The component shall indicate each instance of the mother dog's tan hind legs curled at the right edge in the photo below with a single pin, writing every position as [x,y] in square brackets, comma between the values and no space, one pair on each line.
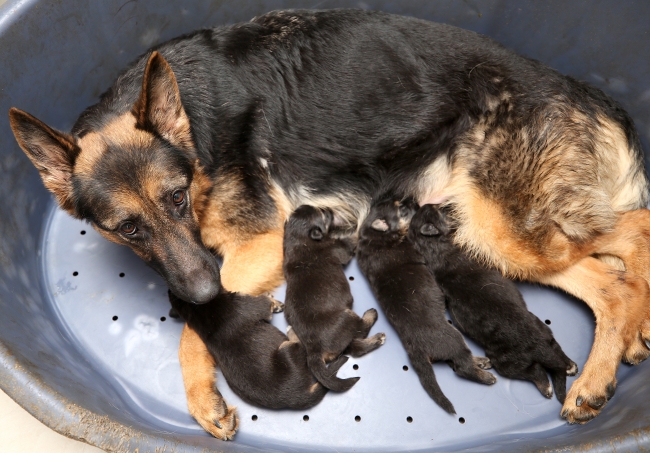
[618,300]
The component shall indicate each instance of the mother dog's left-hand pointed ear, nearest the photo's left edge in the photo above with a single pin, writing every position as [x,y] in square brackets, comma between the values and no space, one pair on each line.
[52,152]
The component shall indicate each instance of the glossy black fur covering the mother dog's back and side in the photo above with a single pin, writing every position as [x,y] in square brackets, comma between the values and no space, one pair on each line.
[340,100]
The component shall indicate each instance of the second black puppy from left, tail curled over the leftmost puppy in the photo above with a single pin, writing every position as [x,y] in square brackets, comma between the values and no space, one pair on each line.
[318,303]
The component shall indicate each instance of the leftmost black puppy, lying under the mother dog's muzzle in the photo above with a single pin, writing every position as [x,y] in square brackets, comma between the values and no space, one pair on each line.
[260,363]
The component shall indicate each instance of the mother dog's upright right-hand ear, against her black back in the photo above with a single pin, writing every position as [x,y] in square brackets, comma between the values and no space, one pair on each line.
[159,107]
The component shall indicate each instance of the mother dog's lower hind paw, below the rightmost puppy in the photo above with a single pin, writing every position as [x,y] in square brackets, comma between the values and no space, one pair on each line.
[584,402]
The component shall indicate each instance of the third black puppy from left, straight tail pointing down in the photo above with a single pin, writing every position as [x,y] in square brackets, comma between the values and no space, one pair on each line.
[411,300]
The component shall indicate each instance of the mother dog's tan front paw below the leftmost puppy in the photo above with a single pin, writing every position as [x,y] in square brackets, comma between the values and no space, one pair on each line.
[214,415]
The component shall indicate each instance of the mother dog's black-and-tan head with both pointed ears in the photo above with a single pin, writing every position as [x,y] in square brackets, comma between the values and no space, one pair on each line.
[134,177]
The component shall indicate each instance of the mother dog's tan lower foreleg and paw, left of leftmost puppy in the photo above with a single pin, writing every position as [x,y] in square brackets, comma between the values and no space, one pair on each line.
[203,399]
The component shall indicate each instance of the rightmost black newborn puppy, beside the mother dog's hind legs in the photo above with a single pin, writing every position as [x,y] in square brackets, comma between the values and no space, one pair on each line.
[490,309]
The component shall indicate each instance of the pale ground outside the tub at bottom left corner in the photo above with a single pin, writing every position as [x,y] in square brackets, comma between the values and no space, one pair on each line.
[22,433]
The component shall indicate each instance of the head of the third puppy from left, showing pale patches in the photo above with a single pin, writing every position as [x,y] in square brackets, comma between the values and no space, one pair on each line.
[389,217]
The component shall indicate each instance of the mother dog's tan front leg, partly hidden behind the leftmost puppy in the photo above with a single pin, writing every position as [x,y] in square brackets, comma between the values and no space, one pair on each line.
[253,267]
